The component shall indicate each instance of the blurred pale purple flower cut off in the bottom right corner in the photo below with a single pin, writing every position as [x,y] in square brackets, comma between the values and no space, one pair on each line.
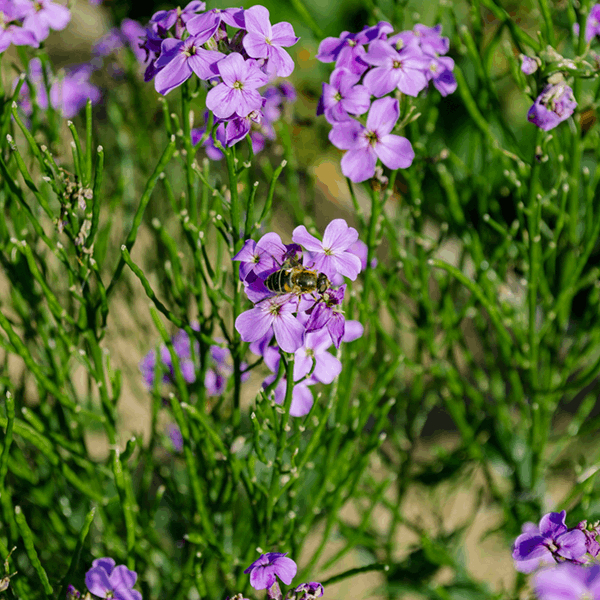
[568,582]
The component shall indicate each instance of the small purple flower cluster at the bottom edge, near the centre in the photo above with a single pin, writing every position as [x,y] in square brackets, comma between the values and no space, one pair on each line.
[265,570]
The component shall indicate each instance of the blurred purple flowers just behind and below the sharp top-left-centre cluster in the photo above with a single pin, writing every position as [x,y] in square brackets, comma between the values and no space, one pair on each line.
[275,97]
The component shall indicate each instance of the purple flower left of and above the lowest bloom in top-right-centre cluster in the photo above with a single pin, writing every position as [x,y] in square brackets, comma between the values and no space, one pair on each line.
[342,96]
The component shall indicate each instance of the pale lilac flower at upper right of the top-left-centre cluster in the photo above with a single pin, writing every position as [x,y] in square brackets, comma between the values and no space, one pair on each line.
[264,41]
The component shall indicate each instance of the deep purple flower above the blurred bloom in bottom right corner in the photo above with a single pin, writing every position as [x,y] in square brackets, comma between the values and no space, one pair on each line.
[552,540]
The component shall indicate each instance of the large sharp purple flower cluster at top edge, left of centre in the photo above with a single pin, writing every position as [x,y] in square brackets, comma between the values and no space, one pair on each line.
[238,51]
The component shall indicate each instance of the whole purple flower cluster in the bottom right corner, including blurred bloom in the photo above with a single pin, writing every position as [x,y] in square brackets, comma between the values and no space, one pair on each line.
[562,557]
